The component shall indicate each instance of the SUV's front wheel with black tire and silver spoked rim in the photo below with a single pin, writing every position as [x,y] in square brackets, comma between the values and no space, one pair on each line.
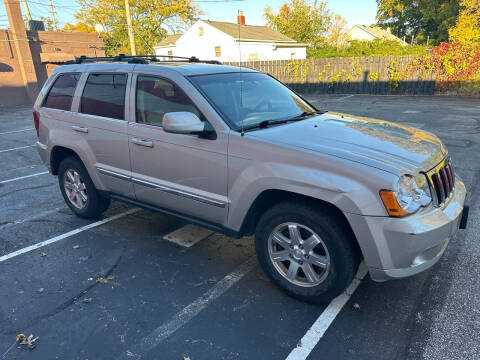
[336,252]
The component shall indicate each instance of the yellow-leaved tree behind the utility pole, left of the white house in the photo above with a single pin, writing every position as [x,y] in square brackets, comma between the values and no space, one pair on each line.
[149,20]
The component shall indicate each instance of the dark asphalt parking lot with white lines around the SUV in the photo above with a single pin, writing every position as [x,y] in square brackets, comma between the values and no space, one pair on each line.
[117,289]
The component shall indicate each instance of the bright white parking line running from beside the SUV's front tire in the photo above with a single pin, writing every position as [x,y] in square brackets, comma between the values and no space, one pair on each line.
[320,326]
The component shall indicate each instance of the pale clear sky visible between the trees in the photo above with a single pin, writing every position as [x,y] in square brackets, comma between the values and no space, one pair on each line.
[355,11]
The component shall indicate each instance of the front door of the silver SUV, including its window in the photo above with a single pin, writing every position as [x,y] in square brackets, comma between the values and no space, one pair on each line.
[183,173]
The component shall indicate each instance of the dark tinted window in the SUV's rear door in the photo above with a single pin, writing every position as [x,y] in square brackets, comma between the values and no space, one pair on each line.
[104,95]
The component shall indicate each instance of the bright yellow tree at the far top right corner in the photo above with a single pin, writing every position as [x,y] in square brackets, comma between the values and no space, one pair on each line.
[467,28]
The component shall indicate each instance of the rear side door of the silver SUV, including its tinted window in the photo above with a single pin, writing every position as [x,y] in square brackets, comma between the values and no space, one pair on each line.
[100,120]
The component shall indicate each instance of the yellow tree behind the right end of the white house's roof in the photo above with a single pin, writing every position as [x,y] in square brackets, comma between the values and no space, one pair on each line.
[301,20]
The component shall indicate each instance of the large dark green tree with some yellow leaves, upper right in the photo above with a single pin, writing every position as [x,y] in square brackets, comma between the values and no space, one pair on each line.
[421,19]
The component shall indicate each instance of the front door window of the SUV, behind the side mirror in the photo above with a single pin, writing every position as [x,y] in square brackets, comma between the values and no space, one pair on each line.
[156,97]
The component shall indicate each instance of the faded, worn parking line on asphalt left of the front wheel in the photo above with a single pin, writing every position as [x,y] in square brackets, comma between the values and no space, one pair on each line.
[192,310]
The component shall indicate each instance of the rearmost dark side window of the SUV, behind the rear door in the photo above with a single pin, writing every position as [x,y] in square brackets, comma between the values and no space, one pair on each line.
[61,93]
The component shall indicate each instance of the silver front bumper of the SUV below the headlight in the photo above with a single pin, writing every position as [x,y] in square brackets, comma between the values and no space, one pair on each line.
[400,247]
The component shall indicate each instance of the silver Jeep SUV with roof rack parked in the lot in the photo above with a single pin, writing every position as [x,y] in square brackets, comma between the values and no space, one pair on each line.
[234,150]
